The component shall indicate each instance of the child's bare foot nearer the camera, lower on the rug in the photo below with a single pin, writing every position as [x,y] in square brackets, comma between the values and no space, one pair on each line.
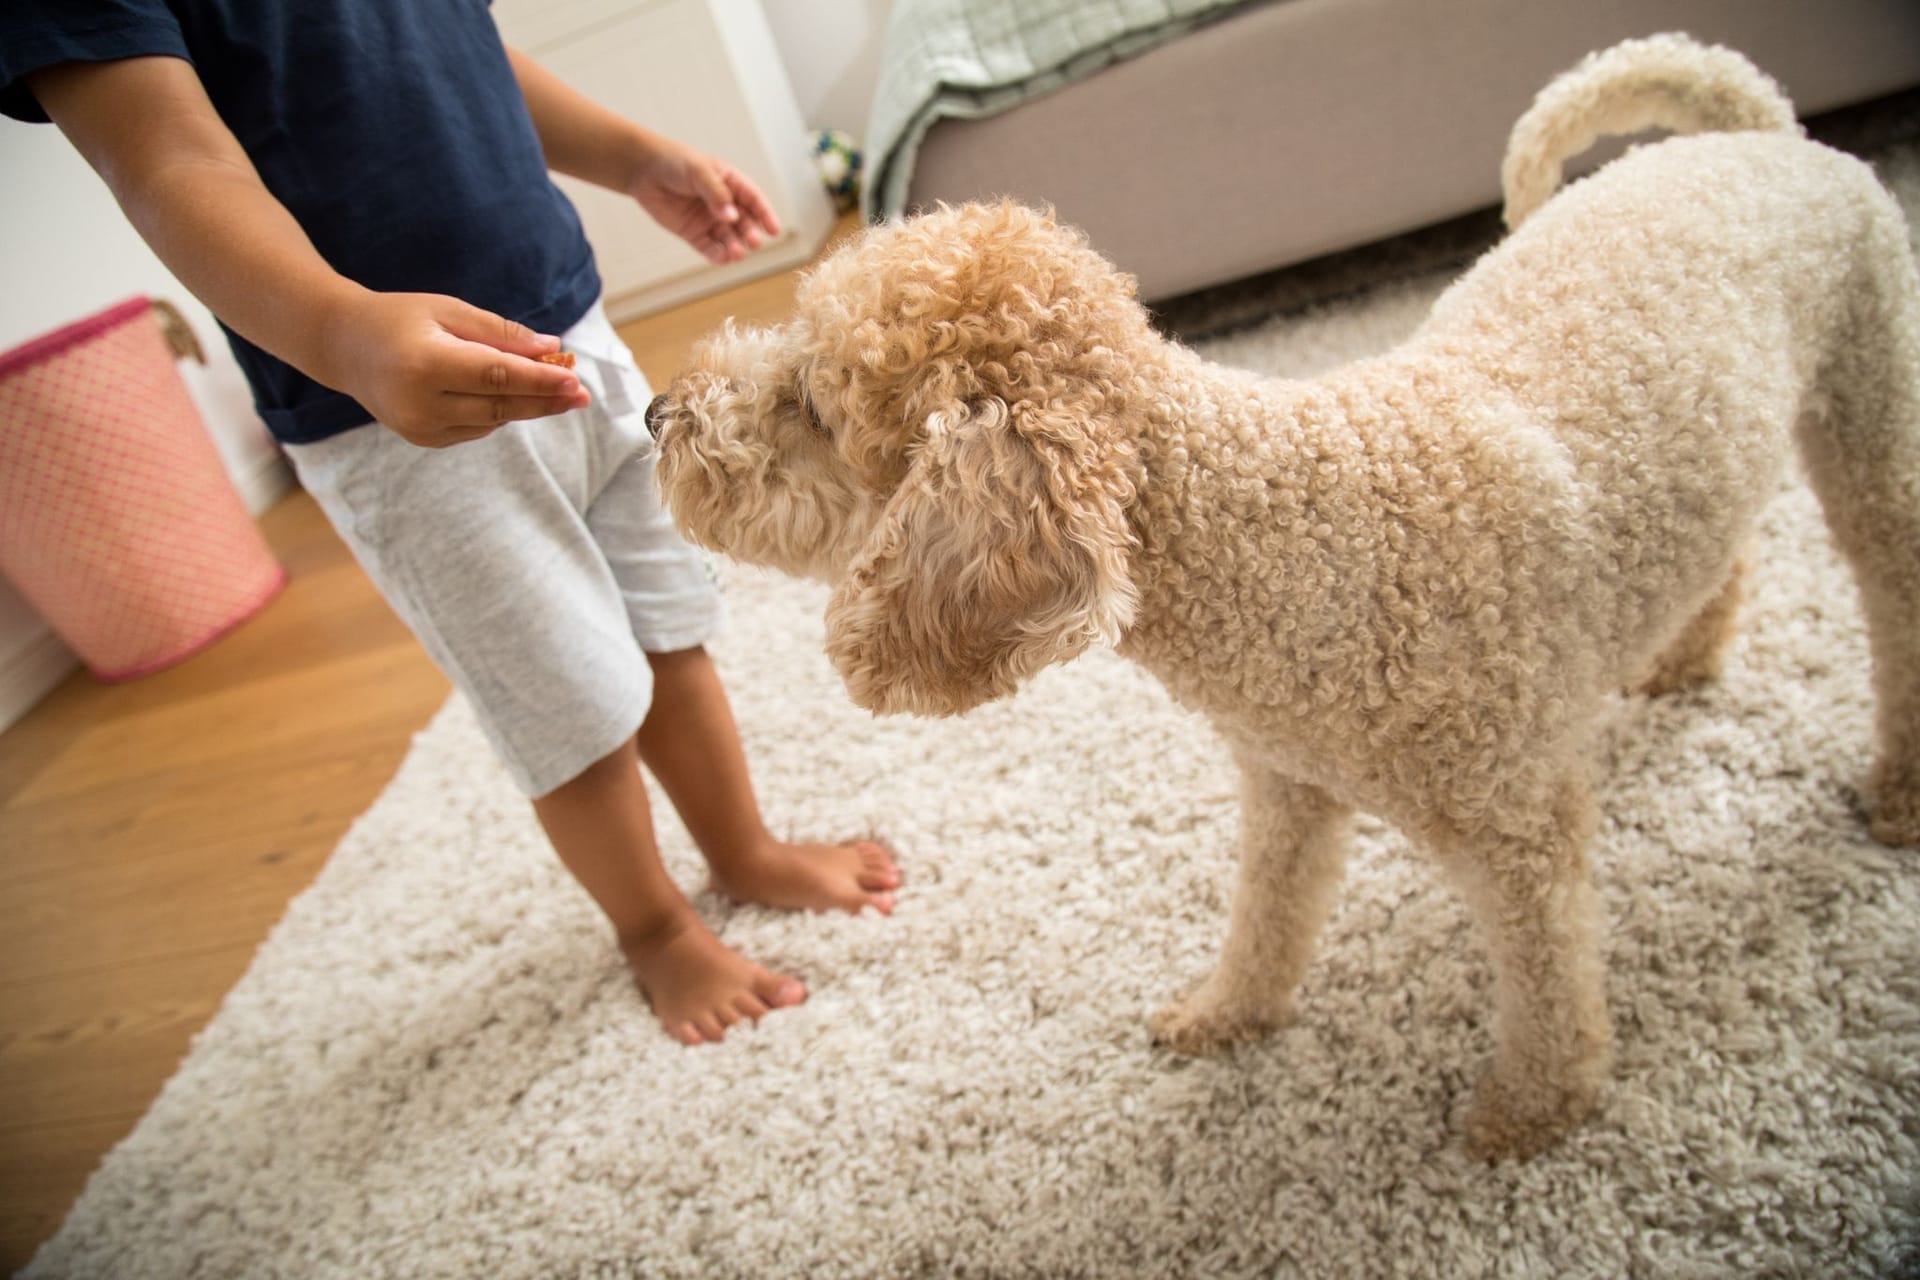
[700,987]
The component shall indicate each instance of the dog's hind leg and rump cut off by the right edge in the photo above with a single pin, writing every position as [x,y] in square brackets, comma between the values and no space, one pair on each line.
[1863,456]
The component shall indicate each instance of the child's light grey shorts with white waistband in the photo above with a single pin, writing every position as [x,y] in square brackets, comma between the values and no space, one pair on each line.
[537,565]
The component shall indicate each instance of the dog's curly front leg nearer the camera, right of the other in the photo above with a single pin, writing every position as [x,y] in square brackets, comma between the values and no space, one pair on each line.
[1525,880]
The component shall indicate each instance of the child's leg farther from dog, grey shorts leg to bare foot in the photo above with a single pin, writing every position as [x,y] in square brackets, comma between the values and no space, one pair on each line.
[487,559]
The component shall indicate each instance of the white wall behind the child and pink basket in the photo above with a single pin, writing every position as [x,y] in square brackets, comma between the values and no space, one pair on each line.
[68,252]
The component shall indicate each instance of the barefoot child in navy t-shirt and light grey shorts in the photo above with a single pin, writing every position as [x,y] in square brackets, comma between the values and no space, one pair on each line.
[360,193]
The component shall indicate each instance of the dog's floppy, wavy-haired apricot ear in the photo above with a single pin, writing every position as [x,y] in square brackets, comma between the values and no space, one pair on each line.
[1003,550]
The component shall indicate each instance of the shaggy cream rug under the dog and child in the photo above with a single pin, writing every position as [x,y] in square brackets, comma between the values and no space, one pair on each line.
[439,1066]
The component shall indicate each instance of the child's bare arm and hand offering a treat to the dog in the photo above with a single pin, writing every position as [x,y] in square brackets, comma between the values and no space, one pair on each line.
[435,369]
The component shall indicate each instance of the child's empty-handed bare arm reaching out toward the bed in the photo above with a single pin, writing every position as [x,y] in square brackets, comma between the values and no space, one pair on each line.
[704,201]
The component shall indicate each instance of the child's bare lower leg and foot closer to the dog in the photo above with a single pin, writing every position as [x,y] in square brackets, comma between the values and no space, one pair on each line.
[692,747]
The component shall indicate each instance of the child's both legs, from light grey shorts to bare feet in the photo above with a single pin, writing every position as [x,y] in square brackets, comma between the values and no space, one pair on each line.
[533,607]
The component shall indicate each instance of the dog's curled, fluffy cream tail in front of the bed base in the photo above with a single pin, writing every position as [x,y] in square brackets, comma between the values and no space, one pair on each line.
[1666,82]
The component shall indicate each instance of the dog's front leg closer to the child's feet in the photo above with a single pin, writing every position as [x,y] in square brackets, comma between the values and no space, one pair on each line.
[1293,845]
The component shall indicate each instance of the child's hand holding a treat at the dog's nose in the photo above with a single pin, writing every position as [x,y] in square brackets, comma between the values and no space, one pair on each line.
[439,371]
